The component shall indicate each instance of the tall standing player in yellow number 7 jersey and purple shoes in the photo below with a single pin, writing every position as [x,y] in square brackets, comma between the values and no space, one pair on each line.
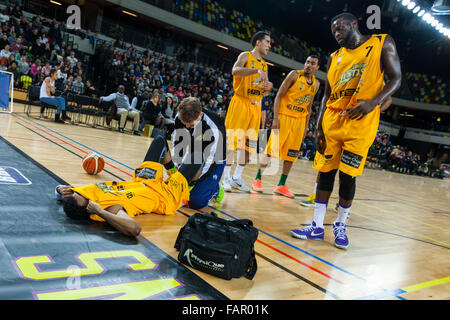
[349,117]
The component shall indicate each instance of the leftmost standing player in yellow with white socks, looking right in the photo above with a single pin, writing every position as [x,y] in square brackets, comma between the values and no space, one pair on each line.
[250,85]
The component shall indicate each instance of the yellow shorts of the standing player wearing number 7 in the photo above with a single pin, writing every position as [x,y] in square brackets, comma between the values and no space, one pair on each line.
[347,142]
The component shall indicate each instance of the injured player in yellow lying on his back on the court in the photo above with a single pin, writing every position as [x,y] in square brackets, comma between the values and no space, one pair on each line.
[116,202]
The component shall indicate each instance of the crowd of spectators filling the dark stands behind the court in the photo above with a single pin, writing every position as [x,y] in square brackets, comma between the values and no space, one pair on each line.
[31,47]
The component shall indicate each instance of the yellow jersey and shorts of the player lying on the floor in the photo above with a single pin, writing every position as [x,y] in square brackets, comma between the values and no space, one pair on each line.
[146,193]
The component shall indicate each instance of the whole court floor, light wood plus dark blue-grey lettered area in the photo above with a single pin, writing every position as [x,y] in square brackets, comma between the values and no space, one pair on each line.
[399,230]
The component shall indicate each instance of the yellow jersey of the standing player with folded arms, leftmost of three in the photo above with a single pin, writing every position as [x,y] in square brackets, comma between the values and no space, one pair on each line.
[249,86]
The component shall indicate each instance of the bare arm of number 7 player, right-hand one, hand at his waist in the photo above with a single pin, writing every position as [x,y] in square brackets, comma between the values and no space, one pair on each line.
[391,65]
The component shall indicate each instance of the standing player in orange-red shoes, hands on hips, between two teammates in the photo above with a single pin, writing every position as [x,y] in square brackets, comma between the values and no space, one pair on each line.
[291,113]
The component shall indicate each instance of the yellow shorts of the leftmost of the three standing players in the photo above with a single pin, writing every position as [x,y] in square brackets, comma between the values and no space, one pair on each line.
[242,122]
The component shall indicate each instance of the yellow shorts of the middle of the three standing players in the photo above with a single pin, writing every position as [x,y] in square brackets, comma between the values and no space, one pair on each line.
[285,144]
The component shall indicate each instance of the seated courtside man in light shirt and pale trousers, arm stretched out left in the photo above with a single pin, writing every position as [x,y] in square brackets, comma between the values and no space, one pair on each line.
[124,109]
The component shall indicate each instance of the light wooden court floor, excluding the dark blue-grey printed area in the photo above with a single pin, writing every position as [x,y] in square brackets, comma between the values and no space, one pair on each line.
[399,228]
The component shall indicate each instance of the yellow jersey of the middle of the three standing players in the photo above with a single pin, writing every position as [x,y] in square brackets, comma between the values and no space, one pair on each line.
[296,100]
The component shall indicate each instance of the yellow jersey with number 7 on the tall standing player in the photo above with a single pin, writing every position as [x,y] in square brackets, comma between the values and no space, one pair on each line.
[355,74]
